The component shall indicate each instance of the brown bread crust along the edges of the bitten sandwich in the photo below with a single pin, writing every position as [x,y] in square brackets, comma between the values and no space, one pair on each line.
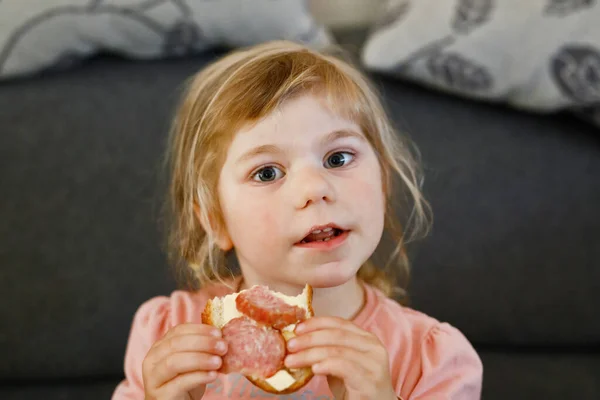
[302,375]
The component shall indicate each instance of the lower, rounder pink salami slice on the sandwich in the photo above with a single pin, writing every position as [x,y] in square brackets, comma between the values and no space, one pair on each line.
[253,350]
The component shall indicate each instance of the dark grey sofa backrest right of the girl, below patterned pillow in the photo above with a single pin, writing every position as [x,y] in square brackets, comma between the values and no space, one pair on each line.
[513,254]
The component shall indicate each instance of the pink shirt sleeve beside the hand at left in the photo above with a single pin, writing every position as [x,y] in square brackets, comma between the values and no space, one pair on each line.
[150,323]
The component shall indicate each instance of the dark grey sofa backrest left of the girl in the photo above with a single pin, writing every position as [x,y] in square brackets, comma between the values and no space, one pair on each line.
[80,247]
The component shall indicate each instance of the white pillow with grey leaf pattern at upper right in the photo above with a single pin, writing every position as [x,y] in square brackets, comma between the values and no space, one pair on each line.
[541,55]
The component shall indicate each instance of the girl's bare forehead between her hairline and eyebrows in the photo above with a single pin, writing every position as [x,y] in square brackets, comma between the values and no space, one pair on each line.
[296,122]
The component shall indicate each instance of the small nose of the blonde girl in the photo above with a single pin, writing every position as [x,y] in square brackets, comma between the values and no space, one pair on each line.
[312,186]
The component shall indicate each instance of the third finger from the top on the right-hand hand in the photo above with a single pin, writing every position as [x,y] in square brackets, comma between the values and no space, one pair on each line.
[315,355]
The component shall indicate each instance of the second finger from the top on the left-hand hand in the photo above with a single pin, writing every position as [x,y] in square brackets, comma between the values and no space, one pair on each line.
[188,342]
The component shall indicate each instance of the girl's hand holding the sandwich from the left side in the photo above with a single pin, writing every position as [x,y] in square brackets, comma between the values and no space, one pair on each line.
[178,366]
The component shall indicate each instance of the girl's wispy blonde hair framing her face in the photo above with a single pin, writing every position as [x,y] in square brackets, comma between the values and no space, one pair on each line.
[243,87]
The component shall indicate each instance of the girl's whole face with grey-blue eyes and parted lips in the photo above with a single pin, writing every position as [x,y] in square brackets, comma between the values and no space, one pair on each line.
[289,173]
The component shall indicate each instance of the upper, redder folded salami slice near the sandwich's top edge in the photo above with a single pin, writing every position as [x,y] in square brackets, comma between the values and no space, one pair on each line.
[262,306]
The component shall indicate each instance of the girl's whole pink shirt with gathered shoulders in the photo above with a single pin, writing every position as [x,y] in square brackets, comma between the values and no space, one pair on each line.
[428,359]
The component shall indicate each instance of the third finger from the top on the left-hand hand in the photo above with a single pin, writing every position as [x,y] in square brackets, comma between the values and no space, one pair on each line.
[180,363]
